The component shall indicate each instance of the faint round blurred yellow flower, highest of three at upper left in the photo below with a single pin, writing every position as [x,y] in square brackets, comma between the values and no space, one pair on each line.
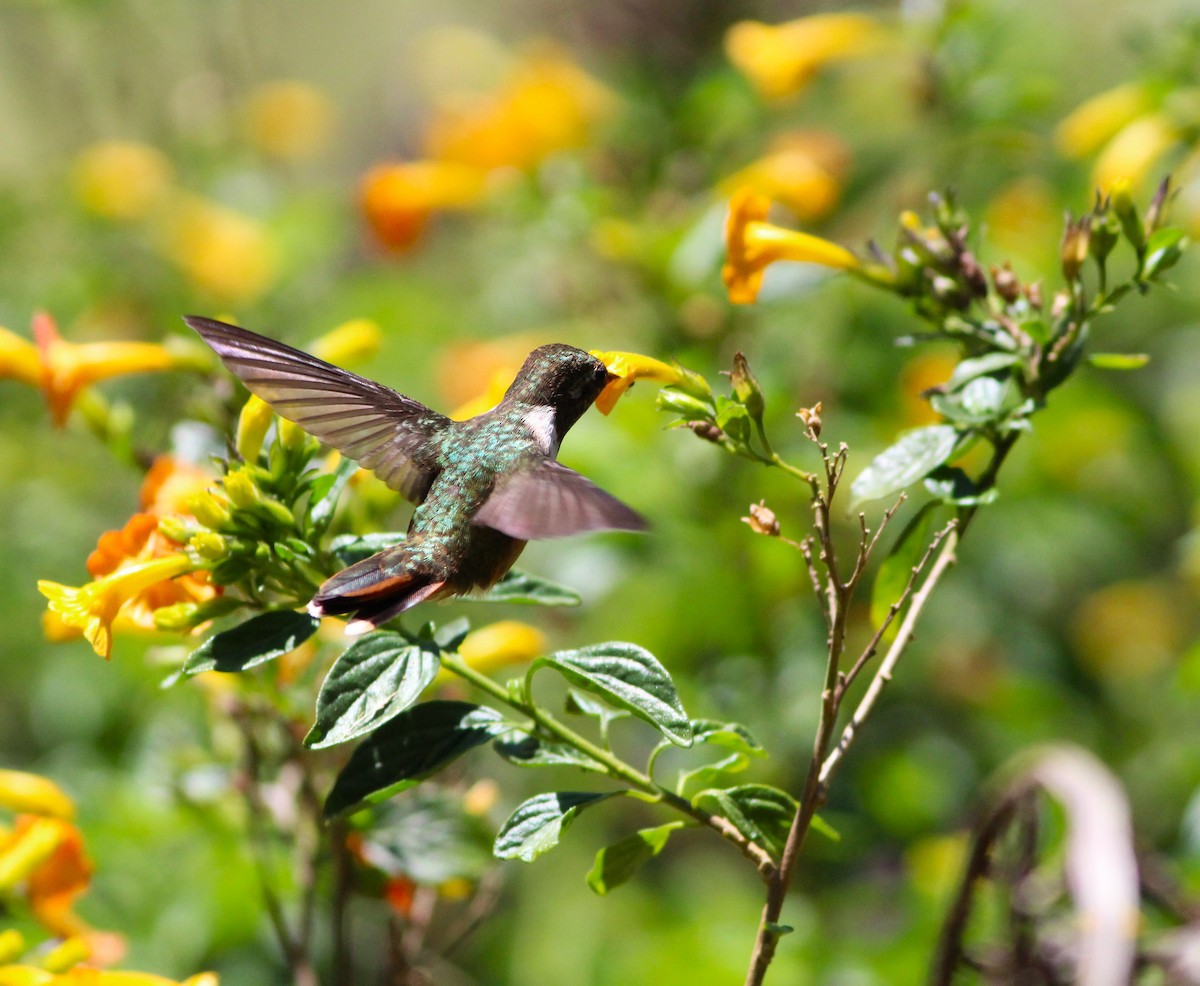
[290,121]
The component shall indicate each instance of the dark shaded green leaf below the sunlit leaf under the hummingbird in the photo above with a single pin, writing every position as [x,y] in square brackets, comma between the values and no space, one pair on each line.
[410,748]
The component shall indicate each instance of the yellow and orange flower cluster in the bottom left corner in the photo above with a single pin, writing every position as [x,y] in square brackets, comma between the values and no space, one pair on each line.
[44,864]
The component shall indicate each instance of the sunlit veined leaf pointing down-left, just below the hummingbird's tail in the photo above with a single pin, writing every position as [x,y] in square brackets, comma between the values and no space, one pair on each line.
[376,678]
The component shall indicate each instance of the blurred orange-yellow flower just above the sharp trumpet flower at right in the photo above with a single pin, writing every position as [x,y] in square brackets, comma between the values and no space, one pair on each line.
[802,171]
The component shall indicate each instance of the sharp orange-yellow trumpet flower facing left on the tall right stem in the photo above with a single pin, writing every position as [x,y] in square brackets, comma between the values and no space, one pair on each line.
[753,244]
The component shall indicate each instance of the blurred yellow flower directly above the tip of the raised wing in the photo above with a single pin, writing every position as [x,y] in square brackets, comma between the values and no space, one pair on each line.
[221,251]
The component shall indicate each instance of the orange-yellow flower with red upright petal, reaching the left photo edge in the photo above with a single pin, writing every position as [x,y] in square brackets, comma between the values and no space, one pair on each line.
[63,369]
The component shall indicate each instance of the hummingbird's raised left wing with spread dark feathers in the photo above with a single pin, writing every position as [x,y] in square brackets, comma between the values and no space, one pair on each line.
[381,430]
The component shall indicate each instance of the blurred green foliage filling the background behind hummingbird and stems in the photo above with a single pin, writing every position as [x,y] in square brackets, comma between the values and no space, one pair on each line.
[1072,612]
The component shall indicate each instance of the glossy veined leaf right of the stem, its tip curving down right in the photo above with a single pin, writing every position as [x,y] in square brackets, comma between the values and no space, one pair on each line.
[631,678]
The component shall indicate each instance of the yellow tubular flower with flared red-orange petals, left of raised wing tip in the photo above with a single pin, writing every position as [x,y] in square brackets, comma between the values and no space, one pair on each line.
[68,368]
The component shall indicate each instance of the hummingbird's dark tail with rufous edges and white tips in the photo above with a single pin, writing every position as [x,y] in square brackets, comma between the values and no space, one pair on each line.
[374,591]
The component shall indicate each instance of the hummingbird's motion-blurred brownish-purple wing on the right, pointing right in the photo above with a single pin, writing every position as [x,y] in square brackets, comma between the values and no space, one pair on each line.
[550,501]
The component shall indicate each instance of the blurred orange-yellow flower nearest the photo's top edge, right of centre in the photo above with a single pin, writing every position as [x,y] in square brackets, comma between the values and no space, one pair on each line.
[781,59]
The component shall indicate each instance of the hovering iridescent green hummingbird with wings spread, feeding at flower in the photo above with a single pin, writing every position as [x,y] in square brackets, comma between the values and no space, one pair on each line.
[483,488]
